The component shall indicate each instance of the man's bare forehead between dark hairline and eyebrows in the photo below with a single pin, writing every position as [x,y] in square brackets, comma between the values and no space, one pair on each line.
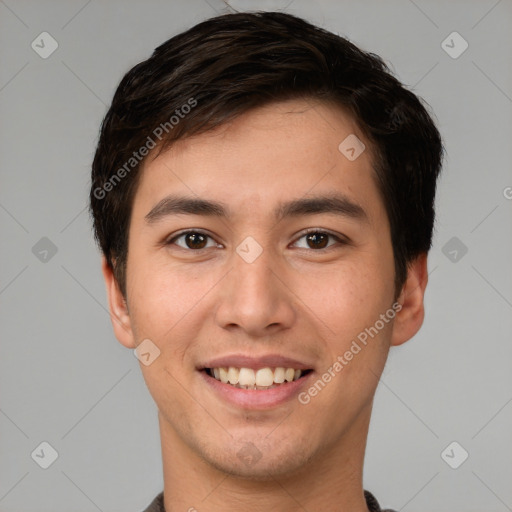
[282,150]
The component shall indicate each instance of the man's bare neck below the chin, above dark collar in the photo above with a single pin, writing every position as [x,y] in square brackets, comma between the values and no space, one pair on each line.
[331,480]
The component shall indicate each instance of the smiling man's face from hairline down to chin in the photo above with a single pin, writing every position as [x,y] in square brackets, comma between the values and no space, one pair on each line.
[264,278]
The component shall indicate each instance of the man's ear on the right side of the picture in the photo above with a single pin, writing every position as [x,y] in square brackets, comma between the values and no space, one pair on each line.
[409,319]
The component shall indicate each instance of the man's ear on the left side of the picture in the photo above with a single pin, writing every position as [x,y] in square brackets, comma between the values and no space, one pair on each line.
[119,314]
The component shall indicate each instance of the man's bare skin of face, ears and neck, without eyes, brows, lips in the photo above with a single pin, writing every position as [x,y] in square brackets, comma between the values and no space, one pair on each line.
[295,299]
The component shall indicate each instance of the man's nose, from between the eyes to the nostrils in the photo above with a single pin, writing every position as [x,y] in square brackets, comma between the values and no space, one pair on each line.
[256,297]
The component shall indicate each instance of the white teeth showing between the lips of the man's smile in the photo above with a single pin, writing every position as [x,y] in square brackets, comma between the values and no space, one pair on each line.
[264,378]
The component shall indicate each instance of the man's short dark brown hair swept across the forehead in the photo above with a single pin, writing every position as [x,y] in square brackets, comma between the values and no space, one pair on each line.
[232,63]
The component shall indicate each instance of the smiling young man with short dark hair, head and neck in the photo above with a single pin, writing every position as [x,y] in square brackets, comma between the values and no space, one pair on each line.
[263,195]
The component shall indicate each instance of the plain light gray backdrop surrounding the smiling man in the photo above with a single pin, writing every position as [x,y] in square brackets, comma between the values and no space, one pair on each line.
[65,379]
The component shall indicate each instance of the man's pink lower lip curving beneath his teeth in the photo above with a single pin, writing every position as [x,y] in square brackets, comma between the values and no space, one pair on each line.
[257,398]
